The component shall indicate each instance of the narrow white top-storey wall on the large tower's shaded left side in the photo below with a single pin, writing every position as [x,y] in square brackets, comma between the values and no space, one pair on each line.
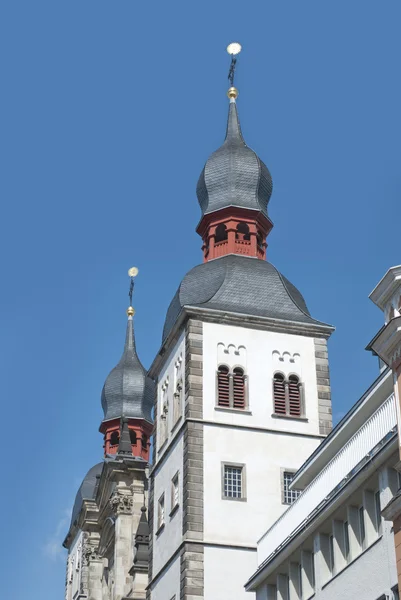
[168,374]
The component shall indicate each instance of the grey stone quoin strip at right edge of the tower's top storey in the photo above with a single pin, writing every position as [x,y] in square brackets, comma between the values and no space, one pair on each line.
[323,386]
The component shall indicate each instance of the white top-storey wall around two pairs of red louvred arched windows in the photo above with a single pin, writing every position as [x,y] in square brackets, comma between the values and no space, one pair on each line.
[260,351]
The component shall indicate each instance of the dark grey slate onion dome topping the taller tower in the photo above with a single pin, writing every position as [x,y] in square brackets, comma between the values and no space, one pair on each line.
[234,175]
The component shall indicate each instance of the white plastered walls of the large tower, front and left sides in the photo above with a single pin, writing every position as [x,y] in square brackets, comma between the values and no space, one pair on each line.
[255,439]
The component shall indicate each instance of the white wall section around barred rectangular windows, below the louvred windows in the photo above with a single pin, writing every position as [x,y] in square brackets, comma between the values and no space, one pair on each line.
[264,454]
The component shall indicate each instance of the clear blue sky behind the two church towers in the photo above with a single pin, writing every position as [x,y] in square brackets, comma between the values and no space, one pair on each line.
[108,112]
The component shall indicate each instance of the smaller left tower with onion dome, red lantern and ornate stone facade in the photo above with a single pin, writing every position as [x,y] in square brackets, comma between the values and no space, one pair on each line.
[108,538]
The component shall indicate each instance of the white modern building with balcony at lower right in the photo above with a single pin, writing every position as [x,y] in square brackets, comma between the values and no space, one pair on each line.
[333,535]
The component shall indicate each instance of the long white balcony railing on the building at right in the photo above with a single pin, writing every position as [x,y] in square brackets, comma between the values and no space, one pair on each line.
[343,465]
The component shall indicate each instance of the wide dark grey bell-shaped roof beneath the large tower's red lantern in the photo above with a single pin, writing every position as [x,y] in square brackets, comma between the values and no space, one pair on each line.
[239,284]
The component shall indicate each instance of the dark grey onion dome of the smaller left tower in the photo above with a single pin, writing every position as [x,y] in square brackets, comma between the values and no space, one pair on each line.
[128,391]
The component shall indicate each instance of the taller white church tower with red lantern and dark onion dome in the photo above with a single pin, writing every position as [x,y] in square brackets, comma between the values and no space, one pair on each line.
[243,391]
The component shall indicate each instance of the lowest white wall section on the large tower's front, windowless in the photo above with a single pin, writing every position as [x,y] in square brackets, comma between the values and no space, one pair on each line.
[226,571]
